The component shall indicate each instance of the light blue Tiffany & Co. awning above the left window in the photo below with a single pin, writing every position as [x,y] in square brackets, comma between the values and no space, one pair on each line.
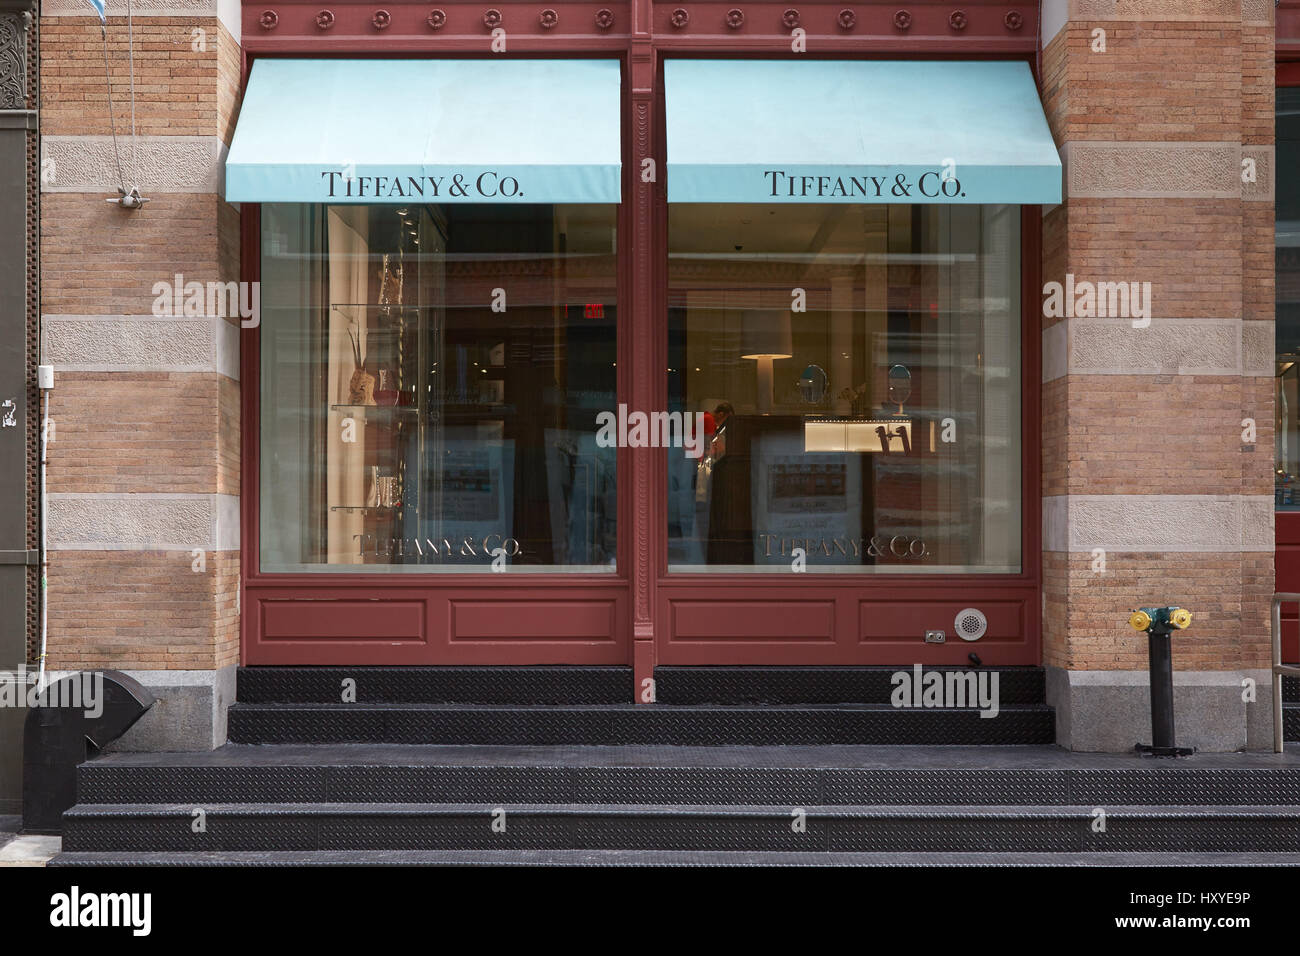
[428,131]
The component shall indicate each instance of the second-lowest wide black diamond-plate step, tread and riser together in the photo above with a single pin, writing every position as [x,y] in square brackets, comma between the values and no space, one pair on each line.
[141,828]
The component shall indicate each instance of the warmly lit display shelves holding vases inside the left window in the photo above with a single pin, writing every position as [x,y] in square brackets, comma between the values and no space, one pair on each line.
[384,345]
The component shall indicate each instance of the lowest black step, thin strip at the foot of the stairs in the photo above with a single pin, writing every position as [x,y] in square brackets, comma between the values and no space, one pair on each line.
[657,858]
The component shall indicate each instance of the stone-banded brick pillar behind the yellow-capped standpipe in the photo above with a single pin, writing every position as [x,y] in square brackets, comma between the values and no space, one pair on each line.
[1145,461]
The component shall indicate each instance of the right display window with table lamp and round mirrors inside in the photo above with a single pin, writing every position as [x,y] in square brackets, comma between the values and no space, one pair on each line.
[859,369]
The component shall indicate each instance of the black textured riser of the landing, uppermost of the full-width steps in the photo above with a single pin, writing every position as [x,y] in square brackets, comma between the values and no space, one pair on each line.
[688,786]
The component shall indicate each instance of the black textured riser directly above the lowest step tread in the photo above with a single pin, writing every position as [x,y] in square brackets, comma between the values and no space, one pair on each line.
[591,832]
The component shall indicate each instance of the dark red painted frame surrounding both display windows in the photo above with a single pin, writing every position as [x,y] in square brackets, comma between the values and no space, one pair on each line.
[645,600]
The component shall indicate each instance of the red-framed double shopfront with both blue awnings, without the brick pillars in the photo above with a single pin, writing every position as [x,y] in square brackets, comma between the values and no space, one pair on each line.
[909,317]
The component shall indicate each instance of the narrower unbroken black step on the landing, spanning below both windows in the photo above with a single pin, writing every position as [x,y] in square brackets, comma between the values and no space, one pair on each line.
[631,724]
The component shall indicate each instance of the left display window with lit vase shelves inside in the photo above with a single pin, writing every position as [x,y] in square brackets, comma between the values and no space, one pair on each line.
[431,379]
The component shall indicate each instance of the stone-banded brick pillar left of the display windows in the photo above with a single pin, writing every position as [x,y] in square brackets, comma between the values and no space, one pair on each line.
[145,468]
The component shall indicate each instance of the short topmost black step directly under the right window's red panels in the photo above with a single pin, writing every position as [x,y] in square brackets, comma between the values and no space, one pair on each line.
[822,685]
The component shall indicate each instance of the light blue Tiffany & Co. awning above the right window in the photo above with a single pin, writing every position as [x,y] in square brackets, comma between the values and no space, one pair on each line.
[857,132]
